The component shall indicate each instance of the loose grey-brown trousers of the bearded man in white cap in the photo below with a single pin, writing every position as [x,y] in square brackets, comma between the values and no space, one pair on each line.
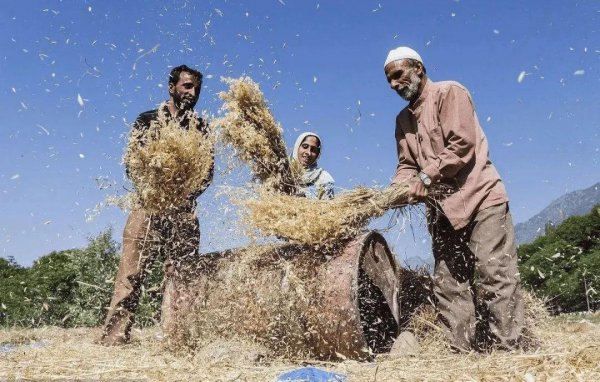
[485,247]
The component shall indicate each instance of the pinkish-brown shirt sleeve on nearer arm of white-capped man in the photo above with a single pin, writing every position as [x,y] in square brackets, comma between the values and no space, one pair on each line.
[458,125]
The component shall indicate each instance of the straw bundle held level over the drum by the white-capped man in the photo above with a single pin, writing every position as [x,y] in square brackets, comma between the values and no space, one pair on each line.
[310,221]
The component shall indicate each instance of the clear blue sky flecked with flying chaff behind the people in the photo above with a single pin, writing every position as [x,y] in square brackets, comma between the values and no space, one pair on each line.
[74,75]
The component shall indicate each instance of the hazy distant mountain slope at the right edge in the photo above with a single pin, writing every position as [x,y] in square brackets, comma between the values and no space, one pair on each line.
[574,203]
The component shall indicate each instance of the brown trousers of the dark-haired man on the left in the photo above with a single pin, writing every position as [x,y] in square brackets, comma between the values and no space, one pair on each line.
[145,237]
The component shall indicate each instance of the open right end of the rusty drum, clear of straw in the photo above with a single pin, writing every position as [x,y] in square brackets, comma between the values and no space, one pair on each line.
[359,300]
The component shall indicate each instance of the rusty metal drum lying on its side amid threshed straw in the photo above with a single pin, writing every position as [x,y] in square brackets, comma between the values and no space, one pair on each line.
[354,294]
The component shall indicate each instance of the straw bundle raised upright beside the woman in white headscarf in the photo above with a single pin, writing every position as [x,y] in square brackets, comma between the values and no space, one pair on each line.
[250,128]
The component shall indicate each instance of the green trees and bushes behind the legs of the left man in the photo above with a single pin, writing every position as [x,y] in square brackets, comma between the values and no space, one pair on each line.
[71,288]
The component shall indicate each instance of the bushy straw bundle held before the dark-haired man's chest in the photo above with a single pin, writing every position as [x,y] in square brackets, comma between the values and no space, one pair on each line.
[167,164]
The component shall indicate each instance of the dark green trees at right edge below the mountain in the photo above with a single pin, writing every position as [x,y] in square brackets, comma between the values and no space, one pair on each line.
[562,266]
